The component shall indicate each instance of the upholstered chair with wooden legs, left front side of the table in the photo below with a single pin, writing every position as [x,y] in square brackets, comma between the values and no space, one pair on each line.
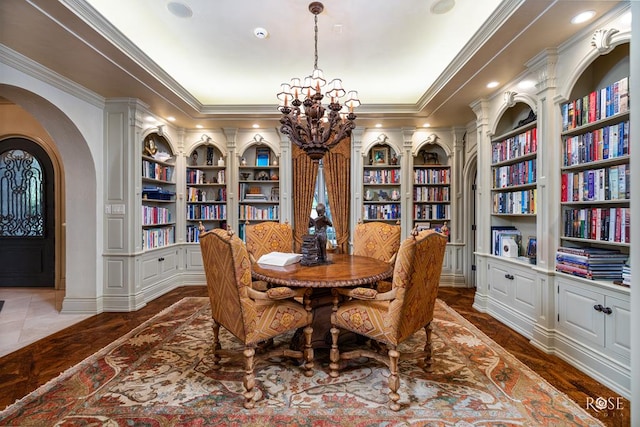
[251,316]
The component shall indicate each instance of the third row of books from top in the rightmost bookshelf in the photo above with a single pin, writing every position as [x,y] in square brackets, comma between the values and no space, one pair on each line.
[611,183]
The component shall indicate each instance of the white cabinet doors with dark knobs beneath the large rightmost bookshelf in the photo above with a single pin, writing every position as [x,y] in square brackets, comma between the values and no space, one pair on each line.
[595,317]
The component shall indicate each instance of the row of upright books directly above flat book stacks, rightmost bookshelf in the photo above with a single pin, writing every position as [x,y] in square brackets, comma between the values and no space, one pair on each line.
[602,224]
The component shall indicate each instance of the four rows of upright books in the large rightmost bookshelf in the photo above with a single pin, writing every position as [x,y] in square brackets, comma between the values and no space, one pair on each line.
[595,174]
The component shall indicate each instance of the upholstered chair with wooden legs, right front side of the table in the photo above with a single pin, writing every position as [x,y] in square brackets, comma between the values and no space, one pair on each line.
[389,318]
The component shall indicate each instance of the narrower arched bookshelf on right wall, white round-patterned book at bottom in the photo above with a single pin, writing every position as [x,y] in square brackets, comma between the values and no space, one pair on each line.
[514,166]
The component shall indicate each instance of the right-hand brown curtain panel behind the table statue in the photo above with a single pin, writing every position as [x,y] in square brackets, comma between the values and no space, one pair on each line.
[337,173]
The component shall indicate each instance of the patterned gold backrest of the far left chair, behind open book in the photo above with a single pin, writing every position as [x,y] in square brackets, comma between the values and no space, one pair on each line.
[268,236]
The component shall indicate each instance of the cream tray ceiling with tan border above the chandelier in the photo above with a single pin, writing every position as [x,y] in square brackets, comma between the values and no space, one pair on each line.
[409,64]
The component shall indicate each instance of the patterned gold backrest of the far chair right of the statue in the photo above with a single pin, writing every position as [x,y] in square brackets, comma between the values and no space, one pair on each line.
[376,239]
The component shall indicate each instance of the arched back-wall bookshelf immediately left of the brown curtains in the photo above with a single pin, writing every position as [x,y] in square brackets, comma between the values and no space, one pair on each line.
[259,187]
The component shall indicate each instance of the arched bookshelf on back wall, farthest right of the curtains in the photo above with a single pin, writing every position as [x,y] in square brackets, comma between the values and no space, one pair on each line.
[431,188]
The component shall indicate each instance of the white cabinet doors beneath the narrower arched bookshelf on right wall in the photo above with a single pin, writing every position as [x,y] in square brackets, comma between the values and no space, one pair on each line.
[513,294]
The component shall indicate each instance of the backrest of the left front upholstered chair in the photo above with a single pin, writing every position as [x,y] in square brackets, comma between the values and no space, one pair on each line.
[228,272]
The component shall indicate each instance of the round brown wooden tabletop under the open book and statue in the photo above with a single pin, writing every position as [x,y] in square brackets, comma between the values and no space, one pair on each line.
[342,270]
